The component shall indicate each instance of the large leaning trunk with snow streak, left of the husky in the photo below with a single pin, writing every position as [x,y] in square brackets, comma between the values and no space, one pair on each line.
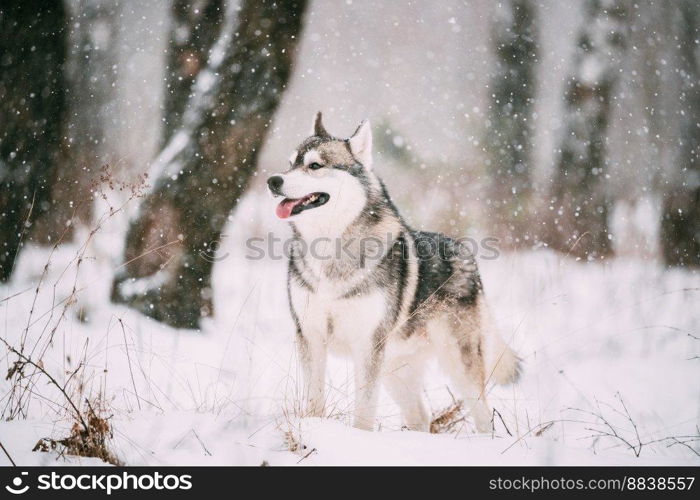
[204,169]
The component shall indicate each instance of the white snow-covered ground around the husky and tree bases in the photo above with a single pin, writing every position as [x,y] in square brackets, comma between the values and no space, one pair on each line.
[617,341]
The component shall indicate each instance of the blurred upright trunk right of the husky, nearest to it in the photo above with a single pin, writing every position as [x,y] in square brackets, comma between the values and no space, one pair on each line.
[510,128]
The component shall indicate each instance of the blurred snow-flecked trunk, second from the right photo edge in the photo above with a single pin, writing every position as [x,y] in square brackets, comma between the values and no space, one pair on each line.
[580,204]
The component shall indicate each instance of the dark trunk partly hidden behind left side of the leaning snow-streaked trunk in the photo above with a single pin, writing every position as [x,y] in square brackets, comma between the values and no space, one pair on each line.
[195,27]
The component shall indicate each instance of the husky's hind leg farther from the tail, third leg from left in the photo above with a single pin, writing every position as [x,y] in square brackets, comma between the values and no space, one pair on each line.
[402,379]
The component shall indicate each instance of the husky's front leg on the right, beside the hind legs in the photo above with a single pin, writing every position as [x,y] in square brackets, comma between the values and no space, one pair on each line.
[368,362]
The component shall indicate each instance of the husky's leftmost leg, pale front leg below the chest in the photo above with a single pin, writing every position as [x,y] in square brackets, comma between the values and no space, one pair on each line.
[312,352]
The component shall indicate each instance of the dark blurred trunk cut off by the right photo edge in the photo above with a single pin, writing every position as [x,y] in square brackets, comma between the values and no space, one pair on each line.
[680,223]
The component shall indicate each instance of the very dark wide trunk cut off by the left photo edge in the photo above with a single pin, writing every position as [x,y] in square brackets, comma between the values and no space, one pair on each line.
[33,47]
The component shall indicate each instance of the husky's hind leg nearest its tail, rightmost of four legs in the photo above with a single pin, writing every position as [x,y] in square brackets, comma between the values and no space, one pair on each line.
[457,336]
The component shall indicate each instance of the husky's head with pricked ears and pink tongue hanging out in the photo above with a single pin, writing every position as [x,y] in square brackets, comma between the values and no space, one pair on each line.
[328,180]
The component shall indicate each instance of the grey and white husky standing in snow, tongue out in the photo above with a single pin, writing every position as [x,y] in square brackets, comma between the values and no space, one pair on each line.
[391,298]
